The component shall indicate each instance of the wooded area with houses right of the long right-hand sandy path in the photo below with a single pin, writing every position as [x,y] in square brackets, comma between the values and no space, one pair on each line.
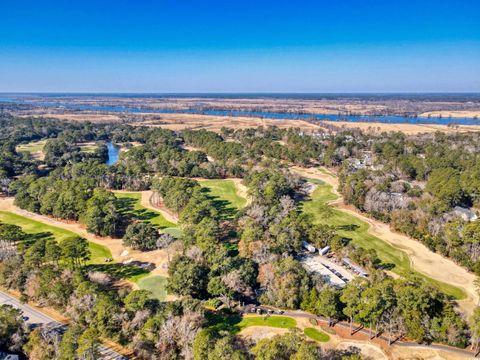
[426,187]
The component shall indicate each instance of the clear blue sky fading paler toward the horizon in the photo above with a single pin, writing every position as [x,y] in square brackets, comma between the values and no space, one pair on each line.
[240,46]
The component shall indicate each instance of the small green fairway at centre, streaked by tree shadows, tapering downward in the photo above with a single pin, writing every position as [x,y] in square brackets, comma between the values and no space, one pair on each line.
[224,193]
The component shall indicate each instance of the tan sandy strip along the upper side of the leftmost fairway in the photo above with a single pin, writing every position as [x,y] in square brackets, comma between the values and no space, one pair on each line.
[159,258]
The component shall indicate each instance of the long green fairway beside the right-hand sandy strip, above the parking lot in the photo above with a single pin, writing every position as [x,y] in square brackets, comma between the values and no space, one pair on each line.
[351,227]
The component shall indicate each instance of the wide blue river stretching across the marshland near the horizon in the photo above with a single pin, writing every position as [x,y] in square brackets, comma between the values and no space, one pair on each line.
[387,119]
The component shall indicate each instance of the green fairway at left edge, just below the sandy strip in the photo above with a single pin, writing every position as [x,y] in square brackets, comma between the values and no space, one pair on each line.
[38,230]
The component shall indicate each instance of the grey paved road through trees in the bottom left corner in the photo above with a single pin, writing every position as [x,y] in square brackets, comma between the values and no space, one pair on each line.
[34,318]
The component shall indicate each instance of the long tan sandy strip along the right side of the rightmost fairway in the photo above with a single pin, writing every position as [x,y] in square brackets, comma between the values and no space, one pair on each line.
[422,259]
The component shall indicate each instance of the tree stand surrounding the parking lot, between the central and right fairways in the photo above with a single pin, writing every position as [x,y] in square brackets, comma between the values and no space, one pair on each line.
[270,234]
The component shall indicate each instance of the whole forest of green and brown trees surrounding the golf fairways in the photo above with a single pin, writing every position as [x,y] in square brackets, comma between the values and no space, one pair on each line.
[426,186]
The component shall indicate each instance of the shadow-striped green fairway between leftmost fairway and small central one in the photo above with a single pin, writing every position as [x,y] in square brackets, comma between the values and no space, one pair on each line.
[130,205]
